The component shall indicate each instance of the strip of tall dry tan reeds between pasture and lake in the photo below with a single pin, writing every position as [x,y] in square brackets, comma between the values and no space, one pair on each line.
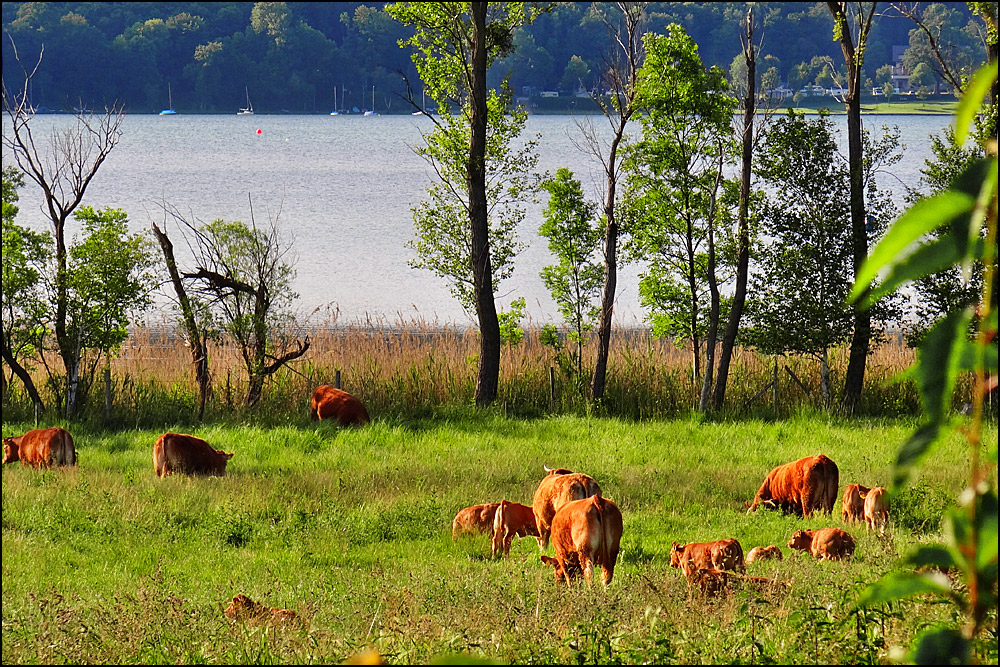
[412,368]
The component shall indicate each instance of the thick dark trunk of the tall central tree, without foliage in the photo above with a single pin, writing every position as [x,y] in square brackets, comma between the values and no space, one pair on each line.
[487,383]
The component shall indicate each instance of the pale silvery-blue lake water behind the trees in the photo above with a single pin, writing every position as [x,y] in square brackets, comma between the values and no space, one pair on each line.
[342,187]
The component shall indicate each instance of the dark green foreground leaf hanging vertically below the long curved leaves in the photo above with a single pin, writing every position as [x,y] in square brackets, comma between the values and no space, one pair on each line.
[938,363]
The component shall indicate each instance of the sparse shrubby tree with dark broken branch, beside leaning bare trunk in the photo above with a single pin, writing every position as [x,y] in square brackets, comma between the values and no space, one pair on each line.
[243,273]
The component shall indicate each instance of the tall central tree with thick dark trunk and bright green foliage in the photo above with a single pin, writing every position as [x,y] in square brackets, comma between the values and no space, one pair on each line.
[455,43]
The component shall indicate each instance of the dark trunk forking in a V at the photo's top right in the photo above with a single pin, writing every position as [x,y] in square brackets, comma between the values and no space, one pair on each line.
[854,58]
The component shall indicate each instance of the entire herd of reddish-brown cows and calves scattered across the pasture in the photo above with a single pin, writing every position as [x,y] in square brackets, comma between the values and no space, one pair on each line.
[568,508]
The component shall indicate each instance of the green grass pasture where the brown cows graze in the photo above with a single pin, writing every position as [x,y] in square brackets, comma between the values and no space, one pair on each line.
[351,528]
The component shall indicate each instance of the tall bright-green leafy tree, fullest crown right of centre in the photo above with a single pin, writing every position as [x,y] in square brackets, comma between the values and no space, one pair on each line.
[674,182]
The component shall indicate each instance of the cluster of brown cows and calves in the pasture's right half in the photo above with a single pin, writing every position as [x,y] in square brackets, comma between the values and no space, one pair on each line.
[585,528]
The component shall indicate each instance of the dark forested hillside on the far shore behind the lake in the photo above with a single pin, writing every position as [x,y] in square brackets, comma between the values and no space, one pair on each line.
[291,56]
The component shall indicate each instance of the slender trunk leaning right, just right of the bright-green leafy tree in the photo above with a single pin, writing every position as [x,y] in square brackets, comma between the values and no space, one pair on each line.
[743,229]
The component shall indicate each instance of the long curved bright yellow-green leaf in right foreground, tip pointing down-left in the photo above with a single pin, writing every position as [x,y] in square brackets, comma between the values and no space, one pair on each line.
[921,218]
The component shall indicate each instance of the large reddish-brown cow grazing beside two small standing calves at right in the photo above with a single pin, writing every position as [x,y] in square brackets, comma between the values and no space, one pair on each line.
[801,486]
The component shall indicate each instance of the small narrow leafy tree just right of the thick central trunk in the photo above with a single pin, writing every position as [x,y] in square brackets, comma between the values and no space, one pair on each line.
[576,281]
